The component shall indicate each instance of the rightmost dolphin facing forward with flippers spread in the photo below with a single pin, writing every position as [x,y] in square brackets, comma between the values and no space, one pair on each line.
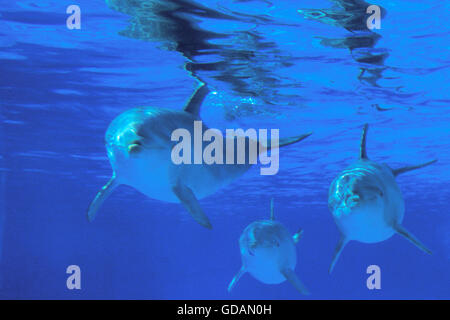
[366,202]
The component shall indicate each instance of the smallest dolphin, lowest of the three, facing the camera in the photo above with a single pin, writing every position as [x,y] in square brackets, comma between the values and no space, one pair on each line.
[268,253]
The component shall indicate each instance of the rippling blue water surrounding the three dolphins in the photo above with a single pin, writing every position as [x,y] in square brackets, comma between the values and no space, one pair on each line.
[270,66]
